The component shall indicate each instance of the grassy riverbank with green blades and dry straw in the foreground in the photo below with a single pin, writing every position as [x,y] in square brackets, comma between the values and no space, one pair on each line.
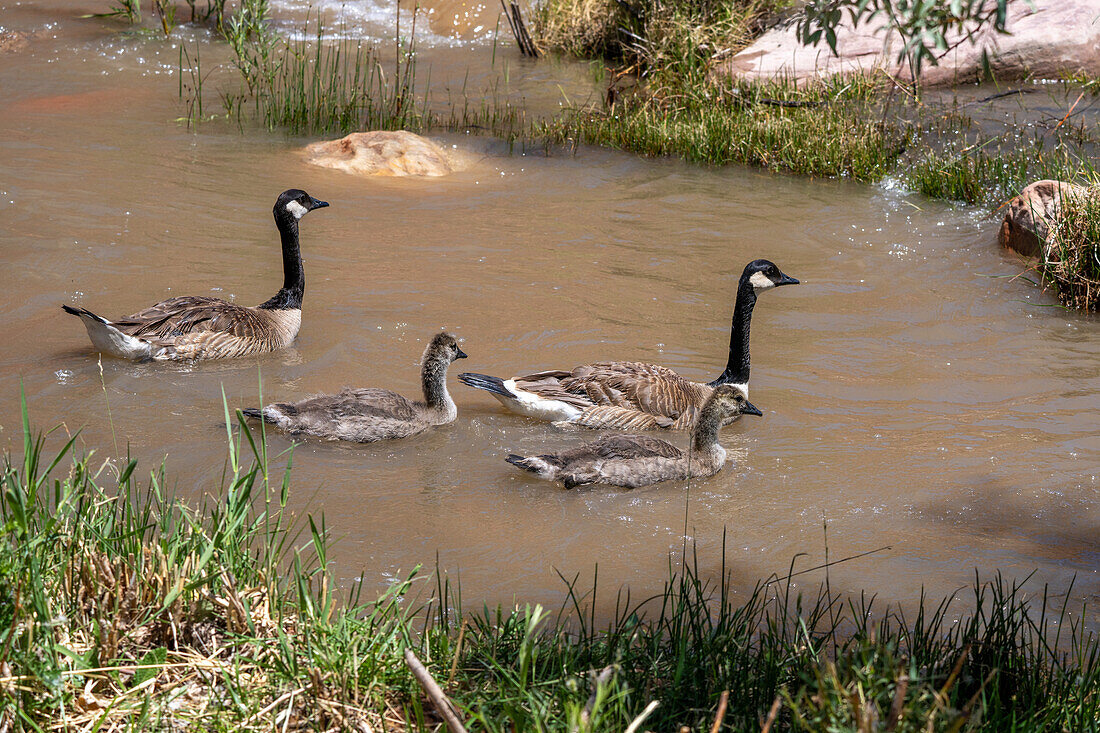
[126,609]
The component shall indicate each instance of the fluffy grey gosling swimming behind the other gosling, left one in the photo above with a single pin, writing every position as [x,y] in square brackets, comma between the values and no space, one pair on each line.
[373,414]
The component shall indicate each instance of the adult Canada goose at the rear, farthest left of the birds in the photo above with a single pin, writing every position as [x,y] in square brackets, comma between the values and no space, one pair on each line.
[200,327]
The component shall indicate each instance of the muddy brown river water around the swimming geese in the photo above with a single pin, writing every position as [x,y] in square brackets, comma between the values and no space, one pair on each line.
[917,393]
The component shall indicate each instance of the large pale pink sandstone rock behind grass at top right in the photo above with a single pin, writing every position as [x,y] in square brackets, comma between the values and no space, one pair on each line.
[1054,39]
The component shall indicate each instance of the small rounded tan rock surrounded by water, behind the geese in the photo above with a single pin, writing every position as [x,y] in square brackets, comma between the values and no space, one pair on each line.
[382,154]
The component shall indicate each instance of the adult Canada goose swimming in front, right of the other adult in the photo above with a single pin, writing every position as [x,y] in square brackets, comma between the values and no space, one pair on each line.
[630,395]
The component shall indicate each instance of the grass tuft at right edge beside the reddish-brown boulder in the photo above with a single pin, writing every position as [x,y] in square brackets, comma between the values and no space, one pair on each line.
[1072,255]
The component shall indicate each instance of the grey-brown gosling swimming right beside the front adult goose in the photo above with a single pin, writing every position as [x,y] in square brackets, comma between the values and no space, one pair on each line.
[637,461]
